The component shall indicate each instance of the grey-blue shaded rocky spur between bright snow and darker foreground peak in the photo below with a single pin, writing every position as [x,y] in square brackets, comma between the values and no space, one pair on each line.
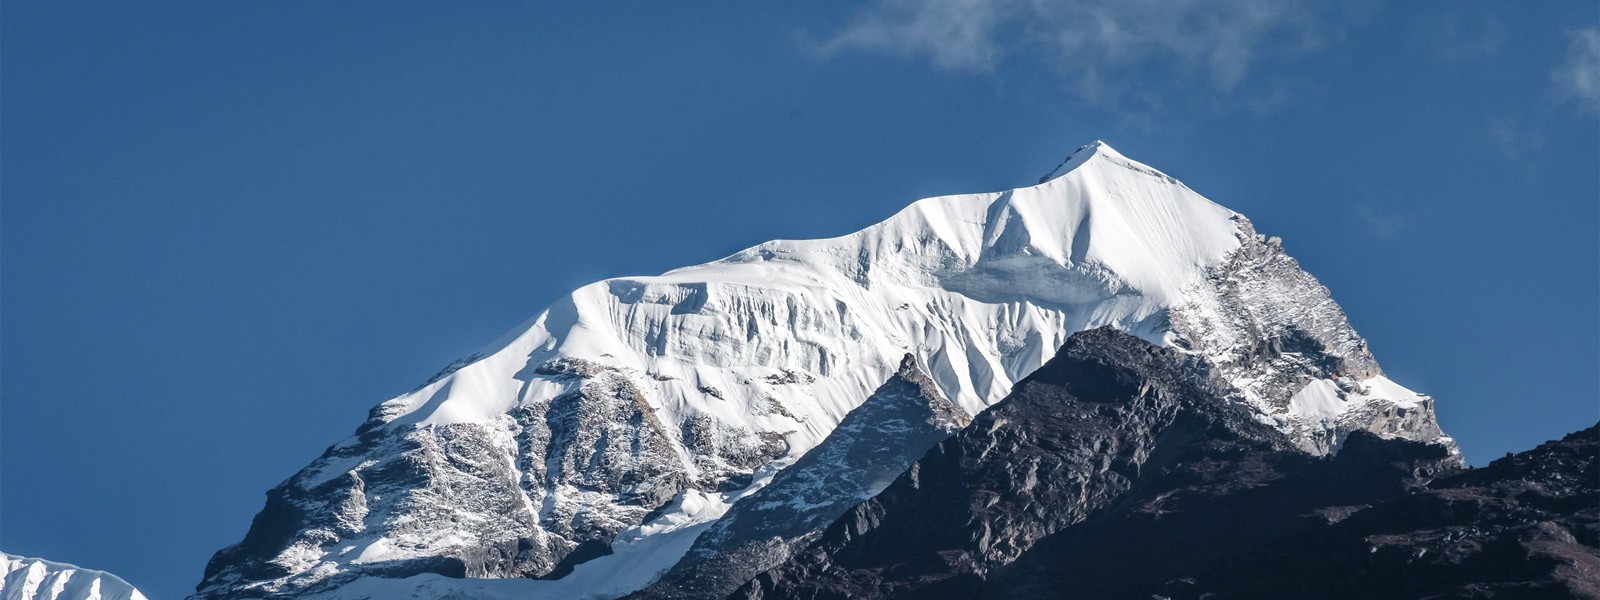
[865,454]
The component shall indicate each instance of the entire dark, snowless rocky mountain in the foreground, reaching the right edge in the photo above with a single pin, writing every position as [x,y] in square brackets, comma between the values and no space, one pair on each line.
[1110,476]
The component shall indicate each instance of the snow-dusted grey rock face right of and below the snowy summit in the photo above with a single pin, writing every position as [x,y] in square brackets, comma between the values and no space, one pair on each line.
[1263,330]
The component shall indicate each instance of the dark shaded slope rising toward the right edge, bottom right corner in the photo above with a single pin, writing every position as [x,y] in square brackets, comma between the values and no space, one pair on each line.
[1524,527]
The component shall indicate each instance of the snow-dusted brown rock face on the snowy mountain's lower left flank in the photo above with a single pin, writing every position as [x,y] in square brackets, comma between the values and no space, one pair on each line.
[530,495]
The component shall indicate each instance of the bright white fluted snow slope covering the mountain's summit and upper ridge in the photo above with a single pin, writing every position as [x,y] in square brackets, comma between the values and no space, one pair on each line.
[983,289]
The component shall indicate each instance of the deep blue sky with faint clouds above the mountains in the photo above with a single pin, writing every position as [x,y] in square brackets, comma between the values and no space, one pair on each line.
[230,230]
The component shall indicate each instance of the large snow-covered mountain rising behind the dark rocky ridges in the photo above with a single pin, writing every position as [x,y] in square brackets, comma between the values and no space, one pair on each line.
[585,454]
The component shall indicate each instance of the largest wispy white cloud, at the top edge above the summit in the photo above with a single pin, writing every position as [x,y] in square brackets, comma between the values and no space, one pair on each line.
[1215,44]
